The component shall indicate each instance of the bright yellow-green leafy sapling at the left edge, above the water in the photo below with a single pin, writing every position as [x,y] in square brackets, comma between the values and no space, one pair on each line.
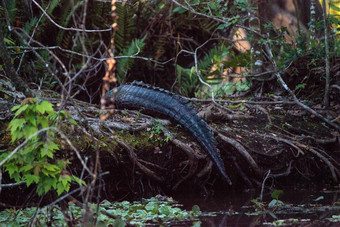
[36,162]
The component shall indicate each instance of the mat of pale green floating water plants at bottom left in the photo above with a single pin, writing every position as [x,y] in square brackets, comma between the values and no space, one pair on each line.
[151,210]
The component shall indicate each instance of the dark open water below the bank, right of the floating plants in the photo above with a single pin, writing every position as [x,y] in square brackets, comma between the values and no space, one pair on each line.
[313,207]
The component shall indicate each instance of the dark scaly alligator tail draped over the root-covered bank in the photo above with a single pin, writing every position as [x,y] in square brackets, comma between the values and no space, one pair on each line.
[159,102]
